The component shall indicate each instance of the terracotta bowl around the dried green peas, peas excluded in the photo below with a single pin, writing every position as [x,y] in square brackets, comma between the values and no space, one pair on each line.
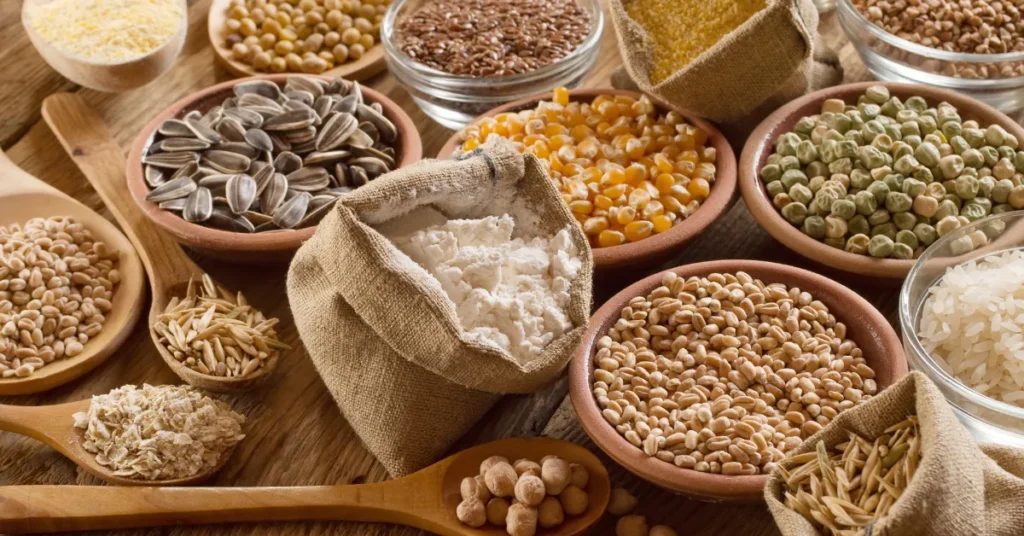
[761,145]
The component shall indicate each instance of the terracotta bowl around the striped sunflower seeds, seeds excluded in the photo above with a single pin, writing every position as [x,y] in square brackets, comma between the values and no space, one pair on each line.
[242,248]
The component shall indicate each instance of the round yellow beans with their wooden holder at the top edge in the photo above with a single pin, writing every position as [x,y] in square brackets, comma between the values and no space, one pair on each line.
[329,37]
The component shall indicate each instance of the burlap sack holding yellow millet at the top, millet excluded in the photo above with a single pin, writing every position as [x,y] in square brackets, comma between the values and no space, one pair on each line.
[769,61]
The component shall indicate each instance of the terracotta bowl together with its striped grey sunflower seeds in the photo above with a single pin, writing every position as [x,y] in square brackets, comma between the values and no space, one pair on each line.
[245,171]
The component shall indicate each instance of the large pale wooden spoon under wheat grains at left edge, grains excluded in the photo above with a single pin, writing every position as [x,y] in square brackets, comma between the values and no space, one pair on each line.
[24,197]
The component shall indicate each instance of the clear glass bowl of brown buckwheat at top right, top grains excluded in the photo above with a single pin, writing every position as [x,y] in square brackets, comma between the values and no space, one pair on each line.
[994,79]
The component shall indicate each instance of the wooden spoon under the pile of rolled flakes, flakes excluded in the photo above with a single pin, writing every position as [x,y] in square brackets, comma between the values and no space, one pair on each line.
[55,427]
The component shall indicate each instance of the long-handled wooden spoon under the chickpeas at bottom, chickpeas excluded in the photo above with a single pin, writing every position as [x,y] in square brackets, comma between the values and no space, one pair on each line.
[426,500]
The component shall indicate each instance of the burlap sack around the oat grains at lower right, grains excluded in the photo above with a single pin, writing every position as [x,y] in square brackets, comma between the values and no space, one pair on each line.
[960,488]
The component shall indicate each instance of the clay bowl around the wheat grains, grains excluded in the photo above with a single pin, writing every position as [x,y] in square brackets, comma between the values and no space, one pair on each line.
[866,326]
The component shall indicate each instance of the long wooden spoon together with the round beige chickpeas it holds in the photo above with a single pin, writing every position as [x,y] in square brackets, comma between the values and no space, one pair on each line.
[520,474]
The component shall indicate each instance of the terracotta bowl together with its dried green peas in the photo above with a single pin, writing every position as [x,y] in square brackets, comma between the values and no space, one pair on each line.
[864,178]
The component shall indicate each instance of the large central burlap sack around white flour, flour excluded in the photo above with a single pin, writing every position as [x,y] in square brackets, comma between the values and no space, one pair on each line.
[382,334]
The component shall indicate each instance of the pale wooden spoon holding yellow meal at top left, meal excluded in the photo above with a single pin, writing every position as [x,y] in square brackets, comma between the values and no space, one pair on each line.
[115,77]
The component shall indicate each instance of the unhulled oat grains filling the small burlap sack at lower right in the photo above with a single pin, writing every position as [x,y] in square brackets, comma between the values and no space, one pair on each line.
[844,489]
